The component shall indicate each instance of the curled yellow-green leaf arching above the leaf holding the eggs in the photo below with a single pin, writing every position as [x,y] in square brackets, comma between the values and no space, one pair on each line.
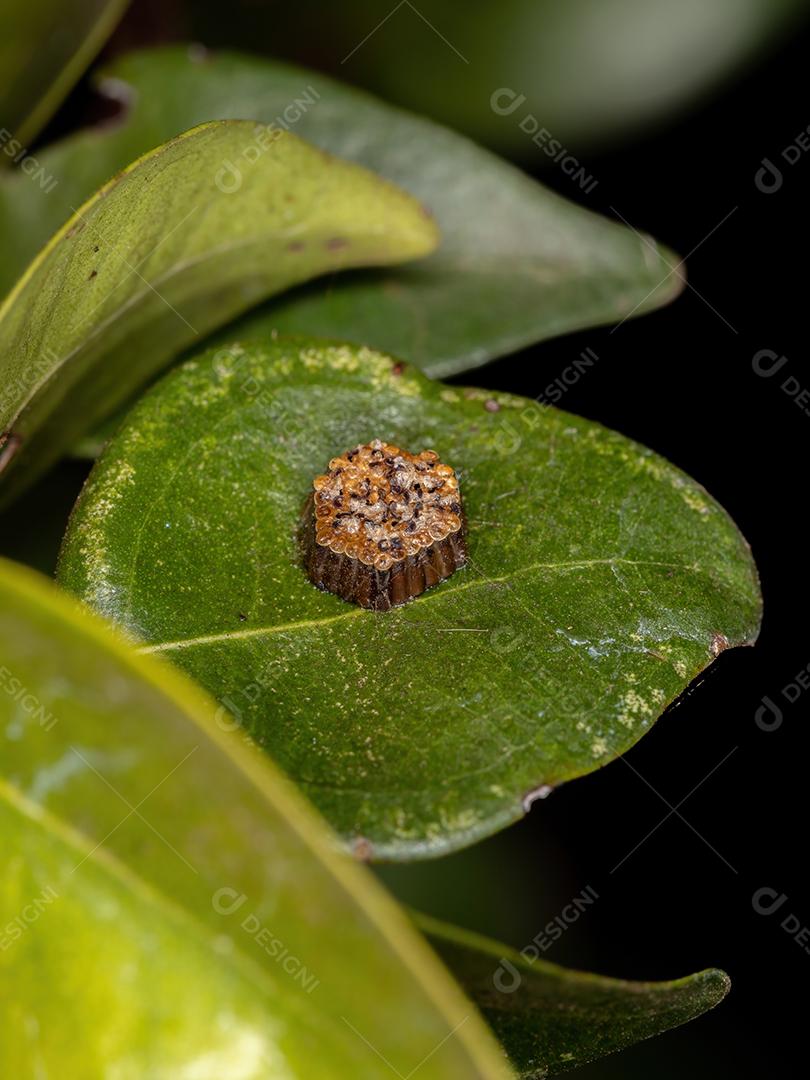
[186,238]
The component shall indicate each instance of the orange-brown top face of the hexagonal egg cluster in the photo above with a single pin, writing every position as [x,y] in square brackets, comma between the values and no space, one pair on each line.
[379,504]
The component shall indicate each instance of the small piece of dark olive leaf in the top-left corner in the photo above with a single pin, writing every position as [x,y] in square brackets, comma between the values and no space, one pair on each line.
[46,47]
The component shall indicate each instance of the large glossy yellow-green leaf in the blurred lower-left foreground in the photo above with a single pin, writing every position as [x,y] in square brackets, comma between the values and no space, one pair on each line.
[169,904]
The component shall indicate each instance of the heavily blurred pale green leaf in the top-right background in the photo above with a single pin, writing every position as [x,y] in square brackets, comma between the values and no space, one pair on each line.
[590,72]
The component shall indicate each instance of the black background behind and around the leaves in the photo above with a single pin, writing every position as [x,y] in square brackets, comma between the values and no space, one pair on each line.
[682,382]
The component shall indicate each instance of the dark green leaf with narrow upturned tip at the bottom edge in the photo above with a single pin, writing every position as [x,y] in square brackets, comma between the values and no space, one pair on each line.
[551,1020]
